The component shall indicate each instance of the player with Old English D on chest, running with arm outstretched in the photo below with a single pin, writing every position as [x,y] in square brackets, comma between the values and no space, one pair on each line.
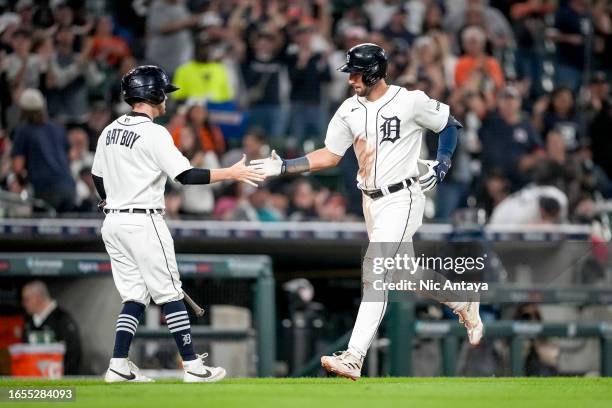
[384,123]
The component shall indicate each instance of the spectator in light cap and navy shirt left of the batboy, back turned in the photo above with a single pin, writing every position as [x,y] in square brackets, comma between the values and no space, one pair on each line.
[41,149]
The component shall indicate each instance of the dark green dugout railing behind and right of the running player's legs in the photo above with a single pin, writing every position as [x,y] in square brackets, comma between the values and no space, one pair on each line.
[403,329]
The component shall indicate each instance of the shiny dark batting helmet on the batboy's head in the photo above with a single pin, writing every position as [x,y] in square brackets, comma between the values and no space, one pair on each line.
[147,83]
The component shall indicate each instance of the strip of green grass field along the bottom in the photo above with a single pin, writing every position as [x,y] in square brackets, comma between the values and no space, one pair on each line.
[332,392]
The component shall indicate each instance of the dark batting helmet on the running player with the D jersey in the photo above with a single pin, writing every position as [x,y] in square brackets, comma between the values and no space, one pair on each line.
[368,59]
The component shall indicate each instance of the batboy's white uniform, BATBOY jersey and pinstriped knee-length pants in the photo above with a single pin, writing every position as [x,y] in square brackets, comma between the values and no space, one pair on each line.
[134,157]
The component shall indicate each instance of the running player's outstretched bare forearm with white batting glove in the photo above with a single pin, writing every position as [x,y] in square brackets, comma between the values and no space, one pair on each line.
[276,166]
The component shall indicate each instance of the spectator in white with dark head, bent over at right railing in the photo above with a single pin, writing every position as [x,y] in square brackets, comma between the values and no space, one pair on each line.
[533,204]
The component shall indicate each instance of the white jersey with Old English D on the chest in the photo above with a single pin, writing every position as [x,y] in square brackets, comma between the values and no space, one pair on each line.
[386,133]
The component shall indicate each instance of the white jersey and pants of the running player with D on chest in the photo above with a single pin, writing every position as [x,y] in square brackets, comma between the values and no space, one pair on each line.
[387,136]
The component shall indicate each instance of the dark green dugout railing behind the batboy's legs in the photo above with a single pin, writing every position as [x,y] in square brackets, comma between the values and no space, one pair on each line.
[255,268]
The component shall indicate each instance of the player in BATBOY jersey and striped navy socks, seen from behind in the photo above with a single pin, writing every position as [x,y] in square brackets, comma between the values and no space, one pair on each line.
[133,159]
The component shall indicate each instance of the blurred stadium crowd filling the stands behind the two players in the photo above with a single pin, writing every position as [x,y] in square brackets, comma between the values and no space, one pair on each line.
[529,79]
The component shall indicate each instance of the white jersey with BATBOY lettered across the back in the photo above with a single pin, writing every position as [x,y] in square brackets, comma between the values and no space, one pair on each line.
[134,157]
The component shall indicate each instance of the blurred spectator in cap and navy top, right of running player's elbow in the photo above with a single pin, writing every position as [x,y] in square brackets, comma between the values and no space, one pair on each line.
[509,141]
